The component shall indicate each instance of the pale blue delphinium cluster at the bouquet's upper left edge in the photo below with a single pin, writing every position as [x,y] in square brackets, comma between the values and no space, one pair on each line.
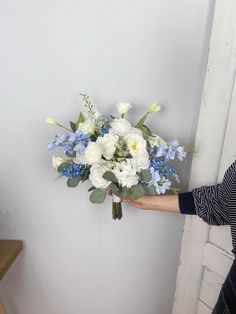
[71,142]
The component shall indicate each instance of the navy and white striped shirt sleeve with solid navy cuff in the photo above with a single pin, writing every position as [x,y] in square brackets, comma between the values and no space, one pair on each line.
[215,204]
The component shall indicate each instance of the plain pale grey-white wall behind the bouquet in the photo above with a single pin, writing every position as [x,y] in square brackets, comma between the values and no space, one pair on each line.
[76,259]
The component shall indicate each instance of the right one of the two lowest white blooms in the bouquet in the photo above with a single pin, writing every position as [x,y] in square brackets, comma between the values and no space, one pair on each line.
[125,174]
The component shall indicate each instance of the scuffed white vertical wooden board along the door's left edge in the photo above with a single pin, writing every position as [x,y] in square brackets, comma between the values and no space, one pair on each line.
[208,164]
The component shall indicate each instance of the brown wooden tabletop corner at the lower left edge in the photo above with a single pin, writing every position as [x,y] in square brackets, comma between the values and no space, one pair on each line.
[9,250]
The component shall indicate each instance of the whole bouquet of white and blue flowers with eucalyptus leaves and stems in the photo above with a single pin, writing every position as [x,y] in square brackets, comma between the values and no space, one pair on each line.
[114,155]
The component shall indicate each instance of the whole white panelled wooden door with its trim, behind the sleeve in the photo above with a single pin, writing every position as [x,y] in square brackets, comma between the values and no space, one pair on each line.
[206,250]
